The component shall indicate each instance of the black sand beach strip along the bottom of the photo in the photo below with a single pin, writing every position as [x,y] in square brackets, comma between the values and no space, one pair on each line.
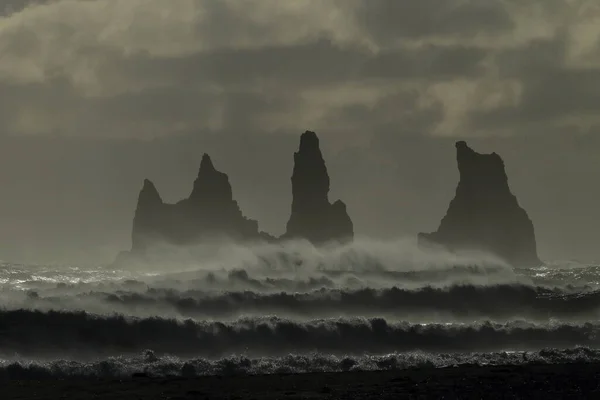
[533,381]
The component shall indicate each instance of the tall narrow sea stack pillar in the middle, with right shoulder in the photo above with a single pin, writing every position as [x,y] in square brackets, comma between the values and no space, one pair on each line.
[313,217]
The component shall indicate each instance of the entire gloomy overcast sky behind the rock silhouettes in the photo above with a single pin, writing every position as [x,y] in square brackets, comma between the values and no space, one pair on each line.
[96,95]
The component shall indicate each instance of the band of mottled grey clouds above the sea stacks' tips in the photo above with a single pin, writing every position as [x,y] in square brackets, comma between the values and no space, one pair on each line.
[139,68]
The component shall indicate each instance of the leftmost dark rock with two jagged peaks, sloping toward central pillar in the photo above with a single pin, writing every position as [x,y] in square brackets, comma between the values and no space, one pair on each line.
[209,212]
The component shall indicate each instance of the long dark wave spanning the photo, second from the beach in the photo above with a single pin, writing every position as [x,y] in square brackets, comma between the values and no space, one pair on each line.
[82,334]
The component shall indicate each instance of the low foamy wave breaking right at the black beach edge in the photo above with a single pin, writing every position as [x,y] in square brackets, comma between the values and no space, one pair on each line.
[148,363]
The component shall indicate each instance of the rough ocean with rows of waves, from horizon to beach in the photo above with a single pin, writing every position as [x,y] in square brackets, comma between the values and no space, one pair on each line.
[287,308]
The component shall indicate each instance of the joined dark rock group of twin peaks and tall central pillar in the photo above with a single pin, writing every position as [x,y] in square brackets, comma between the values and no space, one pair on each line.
[211,212]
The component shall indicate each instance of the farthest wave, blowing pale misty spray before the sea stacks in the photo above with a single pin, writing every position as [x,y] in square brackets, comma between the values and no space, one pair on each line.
[286,266]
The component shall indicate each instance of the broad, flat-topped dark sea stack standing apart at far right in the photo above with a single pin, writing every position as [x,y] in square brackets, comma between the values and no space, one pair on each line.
[484,215]
